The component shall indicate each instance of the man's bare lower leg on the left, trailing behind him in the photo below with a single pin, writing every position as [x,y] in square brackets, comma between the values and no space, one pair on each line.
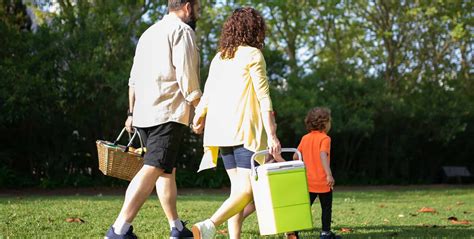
[138,191]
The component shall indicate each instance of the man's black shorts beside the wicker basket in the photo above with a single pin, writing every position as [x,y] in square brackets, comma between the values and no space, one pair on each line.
[162,144]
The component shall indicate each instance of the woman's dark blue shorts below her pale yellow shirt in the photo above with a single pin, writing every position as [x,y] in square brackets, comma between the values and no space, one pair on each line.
[236,157]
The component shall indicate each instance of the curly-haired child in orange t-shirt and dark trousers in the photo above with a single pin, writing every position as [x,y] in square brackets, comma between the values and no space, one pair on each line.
[315,149]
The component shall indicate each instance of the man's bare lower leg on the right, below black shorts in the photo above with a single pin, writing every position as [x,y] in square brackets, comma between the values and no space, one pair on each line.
[167,192]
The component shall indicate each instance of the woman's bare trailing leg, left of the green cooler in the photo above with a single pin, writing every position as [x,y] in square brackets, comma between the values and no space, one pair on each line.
[241,196]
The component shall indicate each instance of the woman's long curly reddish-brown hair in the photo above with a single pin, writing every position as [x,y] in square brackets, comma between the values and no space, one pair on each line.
[245,26]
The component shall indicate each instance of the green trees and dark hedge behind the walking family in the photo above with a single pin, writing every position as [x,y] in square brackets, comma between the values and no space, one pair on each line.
[397,76]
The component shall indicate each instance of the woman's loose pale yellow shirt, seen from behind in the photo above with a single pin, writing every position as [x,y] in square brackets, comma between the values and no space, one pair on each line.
[235,95]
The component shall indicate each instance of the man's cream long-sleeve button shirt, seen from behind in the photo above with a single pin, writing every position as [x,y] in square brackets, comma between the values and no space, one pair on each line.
[165,73]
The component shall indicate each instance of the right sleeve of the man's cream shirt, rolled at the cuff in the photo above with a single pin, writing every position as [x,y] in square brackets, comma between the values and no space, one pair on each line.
[186,63]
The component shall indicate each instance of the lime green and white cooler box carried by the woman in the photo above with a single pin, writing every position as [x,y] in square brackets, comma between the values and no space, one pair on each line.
[281,195]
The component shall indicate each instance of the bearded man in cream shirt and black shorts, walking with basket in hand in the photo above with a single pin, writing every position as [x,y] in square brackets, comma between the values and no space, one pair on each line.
[163,87]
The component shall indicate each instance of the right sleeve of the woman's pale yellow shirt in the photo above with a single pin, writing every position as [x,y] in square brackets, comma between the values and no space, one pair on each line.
[258,73]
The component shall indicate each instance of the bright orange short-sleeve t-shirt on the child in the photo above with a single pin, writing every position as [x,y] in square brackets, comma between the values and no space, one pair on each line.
[310,146]
